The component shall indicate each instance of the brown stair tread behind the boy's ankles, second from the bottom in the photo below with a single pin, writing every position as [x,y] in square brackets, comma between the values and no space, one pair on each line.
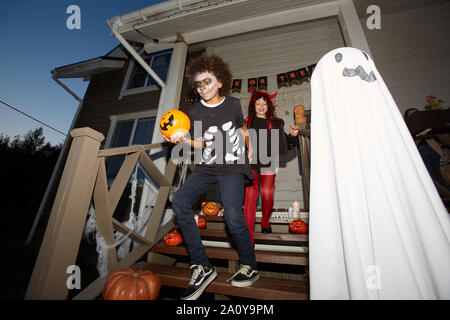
[289,258]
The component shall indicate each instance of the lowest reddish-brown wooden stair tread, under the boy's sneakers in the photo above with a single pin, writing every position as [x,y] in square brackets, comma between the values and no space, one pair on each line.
[264,288]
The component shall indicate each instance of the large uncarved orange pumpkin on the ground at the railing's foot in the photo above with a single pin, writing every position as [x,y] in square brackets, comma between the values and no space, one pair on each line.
[128,284]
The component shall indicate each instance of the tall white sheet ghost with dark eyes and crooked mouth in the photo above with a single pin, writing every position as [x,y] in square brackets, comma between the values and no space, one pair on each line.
[378,228]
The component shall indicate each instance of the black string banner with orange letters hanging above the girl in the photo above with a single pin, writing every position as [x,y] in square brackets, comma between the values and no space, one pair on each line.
[284,79]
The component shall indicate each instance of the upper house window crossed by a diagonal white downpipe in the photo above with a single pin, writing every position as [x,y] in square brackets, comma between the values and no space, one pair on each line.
[158,61]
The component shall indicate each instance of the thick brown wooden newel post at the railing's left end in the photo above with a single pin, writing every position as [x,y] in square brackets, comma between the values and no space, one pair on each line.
[62,237]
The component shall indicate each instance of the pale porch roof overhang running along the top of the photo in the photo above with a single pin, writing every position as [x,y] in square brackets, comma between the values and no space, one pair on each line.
[198,20]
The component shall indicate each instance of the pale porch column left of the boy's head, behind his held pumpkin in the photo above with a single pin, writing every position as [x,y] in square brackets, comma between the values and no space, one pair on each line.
[170,95]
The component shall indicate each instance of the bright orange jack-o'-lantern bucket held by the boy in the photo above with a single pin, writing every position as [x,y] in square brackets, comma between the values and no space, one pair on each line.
[174,123]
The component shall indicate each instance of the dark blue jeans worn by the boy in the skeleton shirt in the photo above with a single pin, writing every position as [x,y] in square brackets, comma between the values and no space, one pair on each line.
[232,195]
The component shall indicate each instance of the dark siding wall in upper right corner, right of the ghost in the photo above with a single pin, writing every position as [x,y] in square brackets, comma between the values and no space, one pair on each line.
[412,53]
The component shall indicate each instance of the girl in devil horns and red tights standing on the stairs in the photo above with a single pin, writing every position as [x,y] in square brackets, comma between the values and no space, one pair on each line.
[262,119]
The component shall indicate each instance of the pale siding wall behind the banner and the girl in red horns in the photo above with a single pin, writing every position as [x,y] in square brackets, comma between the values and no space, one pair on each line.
[267,53]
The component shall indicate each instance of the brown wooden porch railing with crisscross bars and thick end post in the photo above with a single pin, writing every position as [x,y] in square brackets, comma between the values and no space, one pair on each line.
[84,179]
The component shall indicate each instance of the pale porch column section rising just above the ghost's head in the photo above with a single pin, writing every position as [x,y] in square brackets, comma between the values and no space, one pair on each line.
[351,26]
